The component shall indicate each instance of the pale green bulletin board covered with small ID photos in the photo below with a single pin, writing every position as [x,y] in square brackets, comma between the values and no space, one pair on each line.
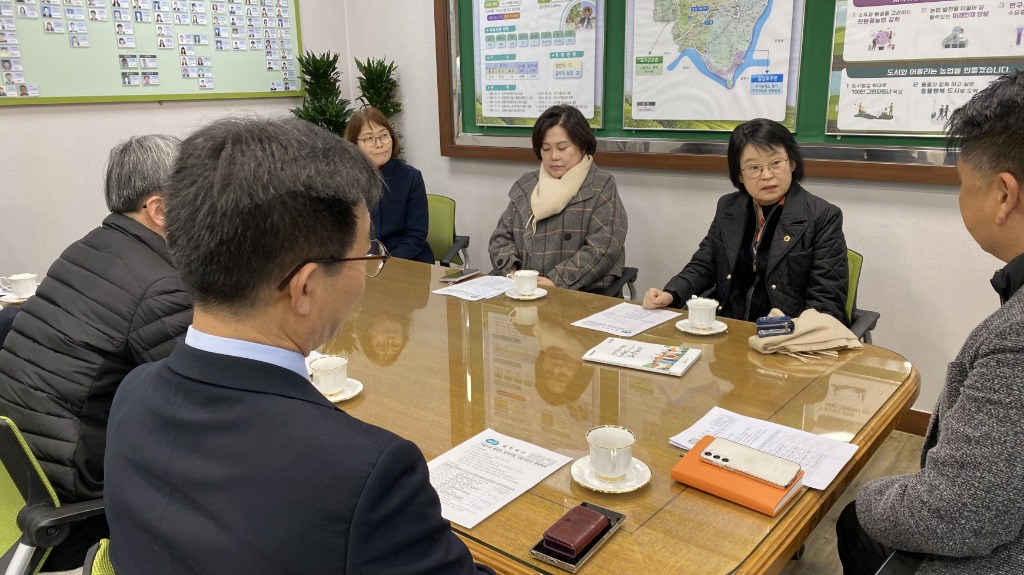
[75,52]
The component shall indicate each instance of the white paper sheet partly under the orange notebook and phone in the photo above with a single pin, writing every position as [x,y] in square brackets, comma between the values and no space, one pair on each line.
[821,458]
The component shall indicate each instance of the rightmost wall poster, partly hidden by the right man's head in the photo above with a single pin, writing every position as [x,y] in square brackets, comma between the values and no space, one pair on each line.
[902,67]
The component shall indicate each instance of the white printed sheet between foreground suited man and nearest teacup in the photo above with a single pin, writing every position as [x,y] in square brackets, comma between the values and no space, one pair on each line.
[482,475]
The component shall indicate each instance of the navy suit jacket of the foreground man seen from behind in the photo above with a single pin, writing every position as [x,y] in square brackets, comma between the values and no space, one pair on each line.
[224,465]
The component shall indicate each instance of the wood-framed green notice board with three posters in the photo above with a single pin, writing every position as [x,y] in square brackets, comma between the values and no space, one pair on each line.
[675,76]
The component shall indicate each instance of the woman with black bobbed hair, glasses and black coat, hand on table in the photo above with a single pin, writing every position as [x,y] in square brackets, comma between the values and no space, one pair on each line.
[773,244]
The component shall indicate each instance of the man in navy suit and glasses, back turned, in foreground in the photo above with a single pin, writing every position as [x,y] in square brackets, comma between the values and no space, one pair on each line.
[224,458]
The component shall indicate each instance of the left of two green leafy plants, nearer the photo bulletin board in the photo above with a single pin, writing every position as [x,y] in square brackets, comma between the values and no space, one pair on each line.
[323,104]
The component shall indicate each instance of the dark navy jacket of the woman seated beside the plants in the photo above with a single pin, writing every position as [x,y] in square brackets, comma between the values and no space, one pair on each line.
[402,218]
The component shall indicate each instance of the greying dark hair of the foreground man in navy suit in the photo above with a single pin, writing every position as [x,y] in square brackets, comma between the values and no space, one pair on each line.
[251,198]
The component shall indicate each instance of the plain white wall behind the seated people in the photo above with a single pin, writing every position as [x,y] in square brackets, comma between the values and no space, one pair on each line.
[919,259]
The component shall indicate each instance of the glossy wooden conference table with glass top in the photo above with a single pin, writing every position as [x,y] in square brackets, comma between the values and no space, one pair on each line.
[439,371]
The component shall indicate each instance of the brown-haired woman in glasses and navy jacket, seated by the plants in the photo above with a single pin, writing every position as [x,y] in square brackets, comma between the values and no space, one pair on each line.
[401,218]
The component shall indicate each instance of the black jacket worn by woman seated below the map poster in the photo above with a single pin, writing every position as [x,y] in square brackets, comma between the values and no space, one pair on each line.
[806,269]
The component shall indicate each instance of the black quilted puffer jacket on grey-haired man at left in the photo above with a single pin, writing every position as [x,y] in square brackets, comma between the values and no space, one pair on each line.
[111,302]
